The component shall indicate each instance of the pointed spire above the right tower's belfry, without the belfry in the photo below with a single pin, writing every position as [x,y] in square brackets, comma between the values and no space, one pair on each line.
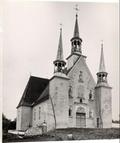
[102,63]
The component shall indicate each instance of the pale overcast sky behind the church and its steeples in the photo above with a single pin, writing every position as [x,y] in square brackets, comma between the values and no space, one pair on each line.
[31,35]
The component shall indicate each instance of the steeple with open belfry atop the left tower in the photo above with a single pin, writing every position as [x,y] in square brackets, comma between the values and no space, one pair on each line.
[59,63]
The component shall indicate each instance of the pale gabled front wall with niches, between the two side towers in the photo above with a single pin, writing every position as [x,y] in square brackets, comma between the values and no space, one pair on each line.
[81,86]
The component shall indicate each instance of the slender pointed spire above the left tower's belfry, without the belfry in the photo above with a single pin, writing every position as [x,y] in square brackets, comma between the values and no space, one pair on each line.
[60,48]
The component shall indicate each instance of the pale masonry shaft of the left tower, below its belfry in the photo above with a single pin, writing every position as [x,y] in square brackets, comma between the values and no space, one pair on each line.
[59,96]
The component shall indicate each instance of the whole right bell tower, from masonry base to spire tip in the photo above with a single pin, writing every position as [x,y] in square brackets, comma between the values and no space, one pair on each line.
[103,96]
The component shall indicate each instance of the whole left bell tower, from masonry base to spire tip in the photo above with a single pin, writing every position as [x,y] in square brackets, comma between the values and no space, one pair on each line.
[58,89]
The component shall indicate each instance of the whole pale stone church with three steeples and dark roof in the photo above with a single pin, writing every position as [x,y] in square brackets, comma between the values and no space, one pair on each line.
[70,98]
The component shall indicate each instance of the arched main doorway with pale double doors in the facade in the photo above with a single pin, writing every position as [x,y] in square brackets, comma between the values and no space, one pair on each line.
[80,118]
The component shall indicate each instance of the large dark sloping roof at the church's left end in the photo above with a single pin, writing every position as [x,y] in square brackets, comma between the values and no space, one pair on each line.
[33,91]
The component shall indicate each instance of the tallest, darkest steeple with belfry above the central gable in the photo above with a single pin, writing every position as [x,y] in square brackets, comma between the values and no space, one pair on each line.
[76,40]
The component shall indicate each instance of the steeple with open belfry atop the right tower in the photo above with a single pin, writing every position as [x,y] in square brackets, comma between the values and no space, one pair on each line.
[102,74]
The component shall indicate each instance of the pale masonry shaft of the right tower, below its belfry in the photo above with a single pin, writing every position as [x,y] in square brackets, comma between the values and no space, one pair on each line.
[103,101]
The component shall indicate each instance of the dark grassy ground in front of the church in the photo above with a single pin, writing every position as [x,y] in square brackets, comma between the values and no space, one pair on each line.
[62,134]
